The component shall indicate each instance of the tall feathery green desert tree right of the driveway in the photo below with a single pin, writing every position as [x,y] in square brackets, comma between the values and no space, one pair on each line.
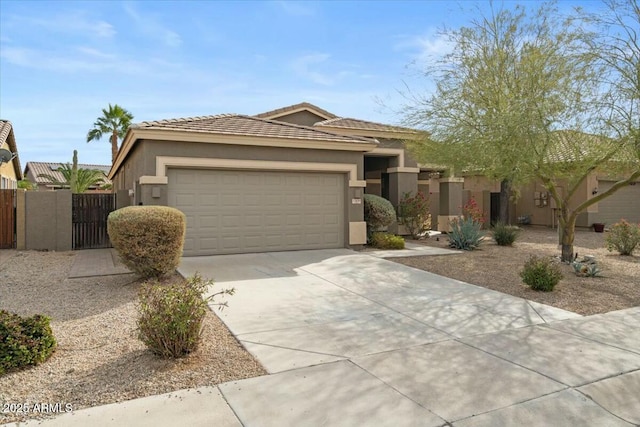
[519,100]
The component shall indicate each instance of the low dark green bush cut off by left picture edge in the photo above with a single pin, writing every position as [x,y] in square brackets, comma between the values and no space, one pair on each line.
[24,341]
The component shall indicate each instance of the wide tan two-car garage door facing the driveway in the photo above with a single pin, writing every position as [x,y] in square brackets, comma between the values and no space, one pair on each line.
[232,211]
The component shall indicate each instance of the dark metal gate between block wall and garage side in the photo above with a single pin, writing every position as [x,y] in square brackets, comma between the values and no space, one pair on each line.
[89,217]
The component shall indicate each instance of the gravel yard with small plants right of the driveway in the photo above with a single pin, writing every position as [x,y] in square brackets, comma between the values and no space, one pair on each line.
[497,267]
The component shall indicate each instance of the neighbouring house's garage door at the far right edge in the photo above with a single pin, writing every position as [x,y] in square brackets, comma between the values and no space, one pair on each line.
[624,203]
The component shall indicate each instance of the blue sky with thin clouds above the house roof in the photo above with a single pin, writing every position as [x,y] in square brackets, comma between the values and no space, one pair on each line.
[62,62]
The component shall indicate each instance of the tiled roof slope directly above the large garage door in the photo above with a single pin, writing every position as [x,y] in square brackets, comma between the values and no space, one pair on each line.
[241,125]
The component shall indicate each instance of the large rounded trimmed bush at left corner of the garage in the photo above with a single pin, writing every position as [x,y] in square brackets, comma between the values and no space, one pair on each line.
[149,239]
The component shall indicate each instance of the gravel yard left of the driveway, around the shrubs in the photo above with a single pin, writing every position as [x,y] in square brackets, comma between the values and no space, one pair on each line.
[99,358]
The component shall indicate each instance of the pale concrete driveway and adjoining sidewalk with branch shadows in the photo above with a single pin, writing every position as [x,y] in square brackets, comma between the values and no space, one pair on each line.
[353,339]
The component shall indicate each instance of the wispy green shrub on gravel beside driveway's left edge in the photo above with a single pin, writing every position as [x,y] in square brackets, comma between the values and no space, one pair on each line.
[170,316]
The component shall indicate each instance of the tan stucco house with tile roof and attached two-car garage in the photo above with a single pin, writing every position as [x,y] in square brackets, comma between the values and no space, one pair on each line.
[287,179]
